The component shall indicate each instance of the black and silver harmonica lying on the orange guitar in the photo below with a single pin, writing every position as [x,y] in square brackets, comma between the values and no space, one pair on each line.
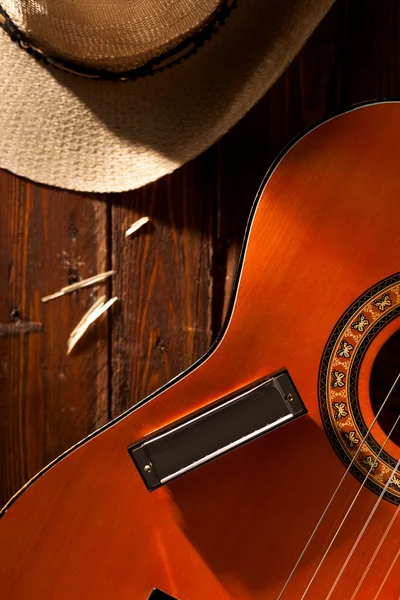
[217,429]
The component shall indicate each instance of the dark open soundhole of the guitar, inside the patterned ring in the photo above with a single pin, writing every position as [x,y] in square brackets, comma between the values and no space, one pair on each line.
[384,372]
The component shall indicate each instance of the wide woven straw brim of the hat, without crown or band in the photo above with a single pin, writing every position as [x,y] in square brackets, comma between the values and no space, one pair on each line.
[100,136]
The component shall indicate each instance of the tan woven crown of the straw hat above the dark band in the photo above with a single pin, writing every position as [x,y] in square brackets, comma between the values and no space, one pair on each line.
[110,34]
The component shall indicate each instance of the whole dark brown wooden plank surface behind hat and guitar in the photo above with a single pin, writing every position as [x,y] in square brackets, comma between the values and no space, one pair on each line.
[174,278]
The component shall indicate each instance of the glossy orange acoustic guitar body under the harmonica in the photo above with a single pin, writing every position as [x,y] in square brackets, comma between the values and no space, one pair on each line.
[318,294]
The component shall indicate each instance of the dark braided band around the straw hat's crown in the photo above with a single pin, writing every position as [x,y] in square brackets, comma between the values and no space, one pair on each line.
[167,59]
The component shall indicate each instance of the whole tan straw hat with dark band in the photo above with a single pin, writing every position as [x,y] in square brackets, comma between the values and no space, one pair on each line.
[109,95]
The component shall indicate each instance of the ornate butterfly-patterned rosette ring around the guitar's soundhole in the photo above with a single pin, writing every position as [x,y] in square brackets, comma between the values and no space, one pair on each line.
[363,450]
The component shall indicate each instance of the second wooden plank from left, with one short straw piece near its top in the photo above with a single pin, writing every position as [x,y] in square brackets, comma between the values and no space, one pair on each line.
[163,279]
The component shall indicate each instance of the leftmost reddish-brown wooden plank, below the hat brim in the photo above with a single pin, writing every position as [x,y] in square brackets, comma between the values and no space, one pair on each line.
[48,401]
